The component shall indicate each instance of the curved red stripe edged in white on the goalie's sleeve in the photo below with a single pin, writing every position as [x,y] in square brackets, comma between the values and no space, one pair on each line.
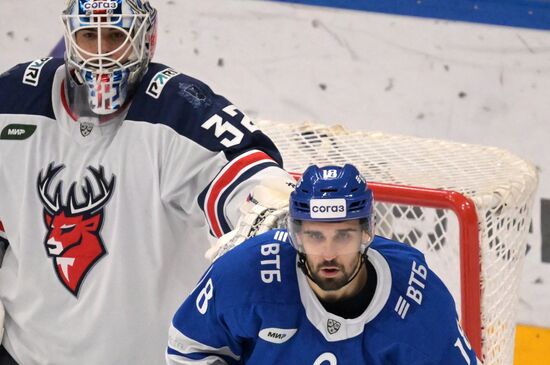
[225,178]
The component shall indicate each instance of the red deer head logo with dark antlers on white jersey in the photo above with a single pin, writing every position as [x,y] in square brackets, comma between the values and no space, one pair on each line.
[73,240]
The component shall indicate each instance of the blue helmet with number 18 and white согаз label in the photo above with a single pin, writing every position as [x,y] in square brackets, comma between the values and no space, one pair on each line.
[331,194]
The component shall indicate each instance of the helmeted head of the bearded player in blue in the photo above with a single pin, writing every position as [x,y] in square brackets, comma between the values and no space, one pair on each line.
[331,217]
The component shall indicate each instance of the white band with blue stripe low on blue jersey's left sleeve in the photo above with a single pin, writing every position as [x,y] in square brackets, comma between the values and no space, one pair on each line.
[178,343]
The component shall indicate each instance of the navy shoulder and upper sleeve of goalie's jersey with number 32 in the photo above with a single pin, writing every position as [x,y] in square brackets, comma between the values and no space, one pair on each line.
[189,107]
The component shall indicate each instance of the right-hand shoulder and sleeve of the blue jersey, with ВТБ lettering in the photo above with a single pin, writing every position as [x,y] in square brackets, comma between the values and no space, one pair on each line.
[420,322]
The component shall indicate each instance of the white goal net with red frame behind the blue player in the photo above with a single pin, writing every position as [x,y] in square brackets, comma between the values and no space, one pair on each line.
[466,207]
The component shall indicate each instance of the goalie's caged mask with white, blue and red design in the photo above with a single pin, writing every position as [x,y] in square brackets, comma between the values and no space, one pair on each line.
[109,44]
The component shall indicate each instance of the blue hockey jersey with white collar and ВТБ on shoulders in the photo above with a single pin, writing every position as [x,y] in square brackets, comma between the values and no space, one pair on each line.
[254,306]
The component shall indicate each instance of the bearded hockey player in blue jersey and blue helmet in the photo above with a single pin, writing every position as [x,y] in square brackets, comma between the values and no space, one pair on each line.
[322,292]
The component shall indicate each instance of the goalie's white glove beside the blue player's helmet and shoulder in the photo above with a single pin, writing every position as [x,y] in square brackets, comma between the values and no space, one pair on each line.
[264,209]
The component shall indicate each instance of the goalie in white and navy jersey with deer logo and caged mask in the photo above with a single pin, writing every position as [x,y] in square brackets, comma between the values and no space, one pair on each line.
[113,170]
